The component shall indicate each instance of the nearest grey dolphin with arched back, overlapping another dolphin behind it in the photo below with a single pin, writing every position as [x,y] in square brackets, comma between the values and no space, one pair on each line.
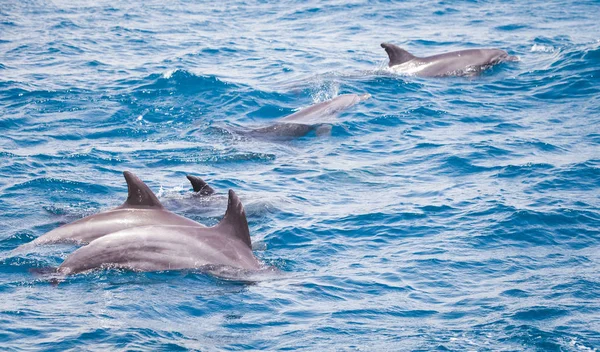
[171,247]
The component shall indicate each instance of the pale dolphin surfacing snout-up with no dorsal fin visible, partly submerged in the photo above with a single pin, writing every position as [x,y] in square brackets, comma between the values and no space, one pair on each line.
[308,119]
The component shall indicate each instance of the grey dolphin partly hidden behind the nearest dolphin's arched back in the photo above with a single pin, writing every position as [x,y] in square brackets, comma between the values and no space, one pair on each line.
[141,208]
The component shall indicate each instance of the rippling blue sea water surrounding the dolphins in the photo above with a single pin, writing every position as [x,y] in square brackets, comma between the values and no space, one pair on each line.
[441,214]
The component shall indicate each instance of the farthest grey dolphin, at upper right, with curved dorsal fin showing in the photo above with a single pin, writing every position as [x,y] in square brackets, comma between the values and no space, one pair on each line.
[455,63]
